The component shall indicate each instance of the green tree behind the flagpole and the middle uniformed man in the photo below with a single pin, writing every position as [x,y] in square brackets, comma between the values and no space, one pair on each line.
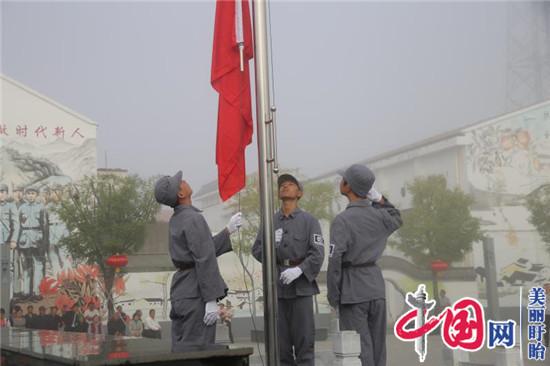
[318,200]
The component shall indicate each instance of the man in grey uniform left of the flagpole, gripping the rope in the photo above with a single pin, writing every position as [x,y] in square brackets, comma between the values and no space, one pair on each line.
[197,285]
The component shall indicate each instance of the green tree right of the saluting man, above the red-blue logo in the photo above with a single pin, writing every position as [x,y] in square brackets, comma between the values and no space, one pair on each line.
[439,226]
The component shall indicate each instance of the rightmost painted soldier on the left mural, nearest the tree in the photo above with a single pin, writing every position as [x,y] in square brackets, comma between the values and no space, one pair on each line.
[57,230]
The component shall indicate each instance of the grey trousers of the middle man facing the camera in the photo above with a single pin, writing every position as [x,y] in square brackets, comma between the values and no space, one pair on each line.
[296,325]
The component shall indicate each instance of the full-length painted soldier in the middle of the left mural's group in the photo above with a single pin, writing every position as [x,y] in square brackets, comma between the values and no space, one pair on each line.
[33,243]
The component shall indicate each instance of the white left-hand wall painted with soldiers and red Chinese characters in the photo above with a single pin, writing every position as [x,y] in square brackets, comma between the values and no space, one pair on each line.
[44,148]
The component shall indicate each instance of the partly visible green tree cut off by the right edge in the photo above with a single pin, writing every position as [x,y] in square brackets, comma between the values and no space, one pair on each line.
[538,204]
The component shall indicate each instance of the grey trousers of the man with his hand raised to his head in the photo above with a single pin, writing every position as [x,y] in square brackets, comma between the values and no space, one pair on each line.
[369,320]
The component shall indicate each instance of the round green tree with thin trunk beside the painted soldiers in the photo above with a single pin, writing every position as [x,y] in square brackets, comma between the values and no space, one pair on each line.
[106,215]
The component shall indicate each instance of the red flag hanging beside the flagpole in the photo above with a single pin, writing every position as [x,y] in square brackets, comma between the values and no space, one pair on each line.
[233,86]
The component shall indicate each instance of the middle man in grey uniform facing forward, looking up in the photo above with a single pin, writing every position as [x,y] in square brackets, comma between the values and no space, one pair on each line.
[300,252]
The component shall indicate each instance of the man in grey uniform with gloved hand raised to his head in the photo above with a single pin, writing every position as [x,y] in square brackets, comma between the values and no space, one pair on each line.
[355,284]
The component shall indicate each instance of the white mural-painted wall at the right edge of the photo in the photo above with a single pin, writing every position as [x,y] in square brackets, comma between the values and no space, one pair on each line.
[507,160]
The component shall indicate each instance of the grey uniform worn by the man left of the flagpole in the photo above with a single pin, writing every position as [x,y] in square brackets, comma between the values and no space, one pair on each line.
[198,280]
